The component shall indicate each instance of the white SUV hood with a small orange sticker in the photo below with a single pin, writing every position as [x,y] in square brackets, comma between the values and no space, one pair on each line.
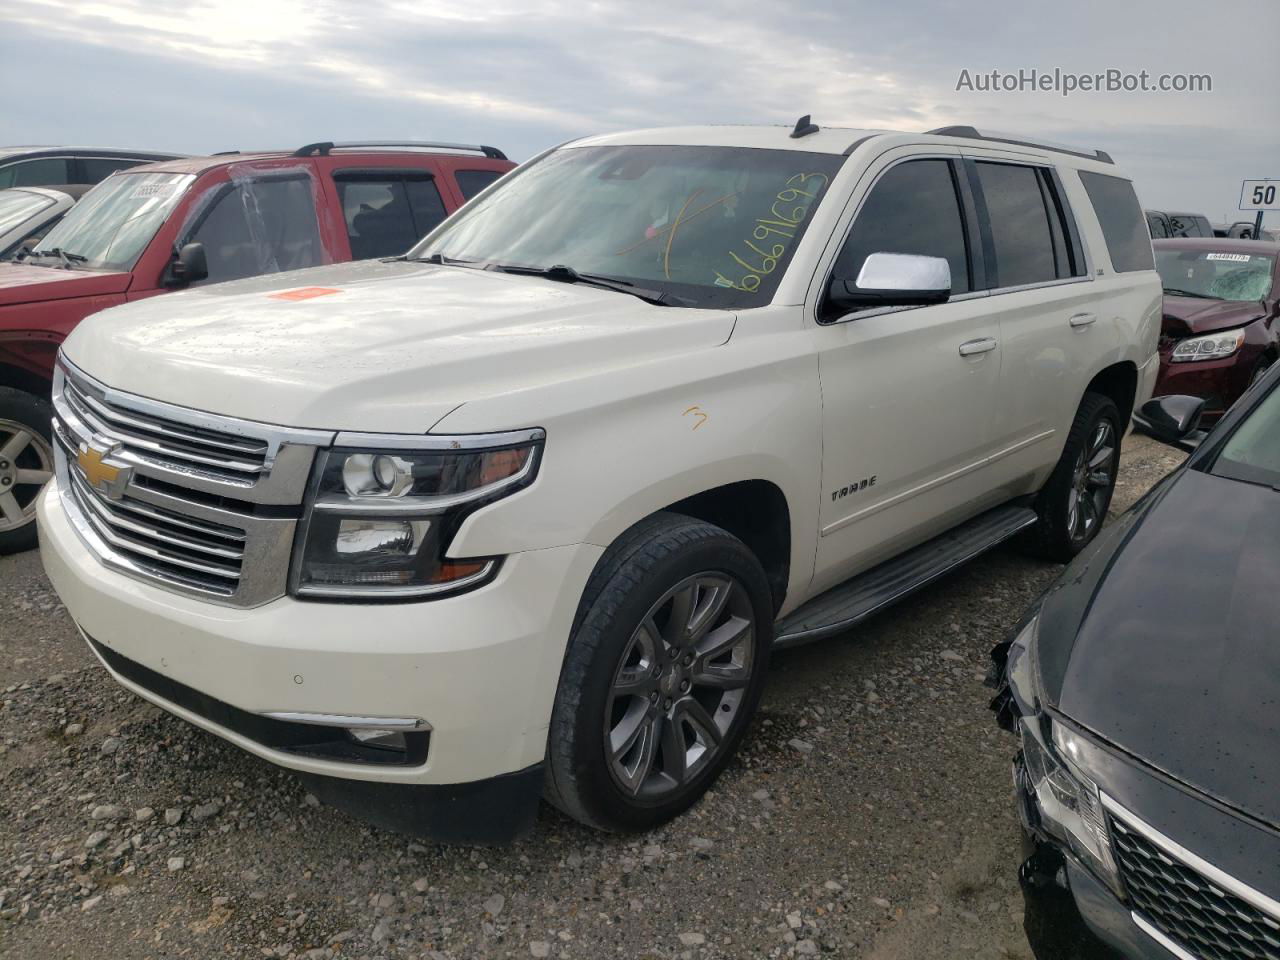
[376,346]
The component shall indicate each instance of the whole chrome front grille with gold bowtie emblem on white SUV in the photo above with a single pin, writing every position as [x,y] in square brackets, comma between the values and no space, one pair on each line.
[195,502]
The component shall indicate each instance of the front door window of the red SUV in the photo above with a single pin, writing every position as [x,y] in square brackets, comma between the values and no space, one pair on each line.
[259,226]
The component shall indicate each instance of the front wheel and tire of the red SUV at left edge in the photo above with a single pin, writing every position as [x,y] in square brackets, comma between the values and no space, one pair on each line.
[26,464]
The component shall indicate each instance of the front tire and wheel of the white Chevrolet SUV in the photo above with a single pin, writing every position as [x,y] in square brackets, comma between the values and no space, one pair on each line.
[621,687]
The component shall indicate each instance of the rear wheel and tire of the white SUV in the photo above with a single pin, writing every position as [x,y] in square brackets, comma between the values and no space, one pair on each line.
[1075,504]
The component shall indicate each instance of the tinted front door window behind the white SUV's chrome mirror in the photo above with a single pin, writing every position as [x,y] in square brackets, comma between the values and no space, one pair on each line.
[912,209]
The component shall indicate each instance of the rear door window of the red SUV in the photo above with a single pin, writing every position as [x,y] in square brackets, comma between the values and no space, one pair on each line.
[387,212]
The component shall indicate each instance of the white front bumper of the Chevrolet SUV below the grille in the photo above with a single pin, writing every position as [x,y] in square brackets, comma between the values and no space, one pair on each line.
[479,669]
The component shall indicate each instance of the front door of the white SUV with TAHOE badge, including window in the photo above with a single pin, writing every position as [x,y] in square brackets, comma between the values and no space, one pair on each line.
[907,394]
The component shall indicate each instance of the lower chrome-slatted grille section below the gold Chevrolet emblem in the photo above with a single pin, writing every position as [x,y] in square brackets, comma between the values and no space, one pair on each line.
[170,546]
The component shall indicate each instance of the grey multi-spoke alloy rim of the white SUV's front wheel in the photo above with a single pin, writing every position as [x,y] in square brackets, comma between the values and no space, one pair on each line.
[679,685]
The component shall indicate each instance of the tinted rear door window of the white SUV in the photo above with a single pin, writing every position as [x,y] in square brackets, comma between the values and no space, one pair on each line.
[1027,232]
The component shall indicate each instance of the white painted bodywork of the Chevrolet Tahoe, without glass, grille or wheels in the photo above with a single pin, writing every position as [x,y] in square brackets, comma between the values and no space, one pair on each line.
[643,406]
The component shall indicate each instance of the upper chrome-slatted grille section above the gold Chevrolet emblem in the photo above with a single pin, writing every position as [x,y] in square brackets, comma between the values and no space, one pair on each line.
[235,460]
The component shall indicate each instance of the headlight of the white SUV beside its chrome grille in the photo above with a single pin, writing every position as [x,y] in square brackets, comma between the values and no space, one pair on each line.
[385,513]
